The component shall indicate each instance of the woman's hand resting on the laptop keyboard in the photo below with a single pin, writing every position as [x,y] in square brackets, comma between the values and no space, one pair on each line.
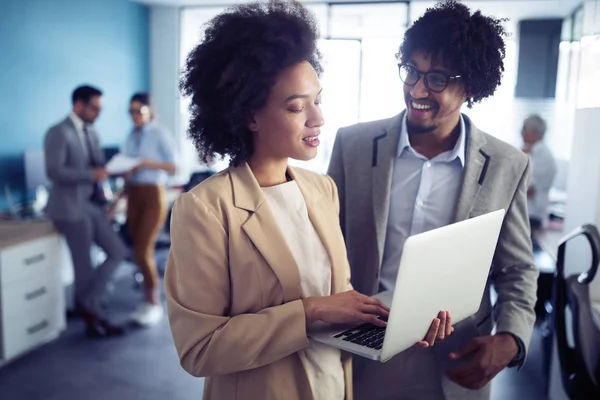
[346,307]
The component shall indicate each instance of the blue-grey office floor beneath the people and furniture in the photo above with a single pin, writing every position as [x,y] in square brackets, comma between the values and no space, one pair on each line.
[144,365]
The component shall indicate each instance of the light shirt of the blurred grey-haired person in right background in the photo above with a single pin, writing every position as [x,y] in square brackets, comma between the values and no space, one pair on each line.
[543,171]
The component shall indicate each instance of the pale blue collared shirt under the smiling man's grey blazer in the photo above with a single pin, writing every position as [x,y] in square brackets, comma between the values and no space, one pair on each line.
[423,196]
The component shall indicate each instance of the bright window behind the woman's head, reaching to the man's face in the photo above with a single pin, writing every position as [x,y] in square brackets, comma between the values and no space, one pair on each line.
[360,81]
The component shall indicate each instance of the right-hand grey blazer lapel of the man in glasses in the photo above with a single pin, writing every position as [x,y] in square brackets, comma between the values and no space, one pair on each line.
[477,162]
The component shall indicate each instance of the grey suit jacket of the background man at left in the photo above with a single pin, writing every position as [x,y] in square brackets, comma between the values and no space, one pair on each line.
[70,170]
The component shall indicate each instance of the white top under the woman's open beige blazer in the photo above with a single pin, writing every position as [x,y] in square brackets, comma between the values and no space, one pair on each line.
[323,363]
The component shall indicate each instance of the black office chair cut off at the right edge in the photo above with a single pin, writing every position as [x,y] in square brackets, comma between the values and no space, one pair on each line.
[580,365]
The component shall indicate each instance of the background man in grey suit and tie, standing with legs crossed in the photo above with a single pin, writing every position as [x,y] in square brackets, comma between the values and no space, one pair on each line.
[75,165]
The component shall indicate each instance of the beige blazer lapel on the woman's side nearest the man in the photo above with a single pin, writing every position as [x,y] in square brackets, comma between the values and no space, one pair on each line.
[327,228]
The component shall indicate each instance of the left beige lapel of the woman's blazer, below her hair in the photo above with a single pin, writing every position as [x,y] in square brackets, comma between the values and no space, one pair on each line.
[262,229]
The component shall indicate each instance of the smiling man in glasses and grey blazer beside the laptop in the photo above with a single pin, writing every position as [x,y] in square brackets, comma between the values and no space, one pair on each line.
[428,167]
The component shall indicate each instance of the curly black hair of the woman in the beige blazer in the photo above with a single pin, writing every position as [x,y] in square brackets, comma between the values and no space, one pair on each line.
[231,72]
